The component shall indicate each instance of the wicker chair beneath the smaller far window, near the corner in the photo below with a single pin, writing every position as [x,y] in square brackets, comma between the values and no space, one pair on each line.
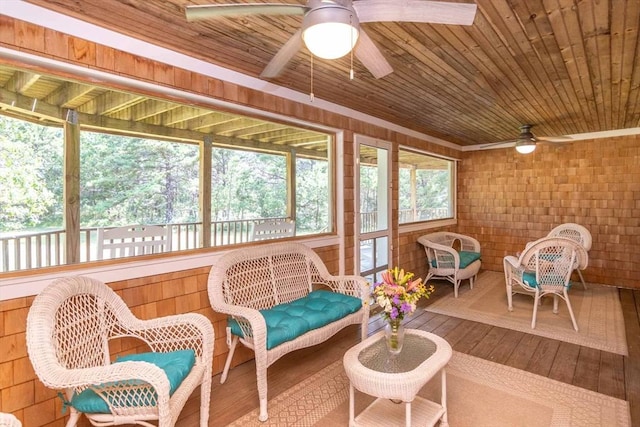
[445,262]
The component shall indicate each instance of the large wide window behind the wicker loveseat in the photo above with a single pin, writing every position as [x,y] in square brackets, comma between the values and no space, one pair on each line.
[140,164]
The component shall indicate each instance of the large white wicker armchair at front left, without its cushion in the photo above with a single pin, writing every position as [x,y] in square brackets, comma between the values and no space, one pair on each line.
[69,327]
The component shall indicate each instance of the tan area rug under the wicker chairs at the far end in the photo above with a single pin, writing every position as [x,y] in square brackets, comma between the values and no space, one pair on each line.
[597,309]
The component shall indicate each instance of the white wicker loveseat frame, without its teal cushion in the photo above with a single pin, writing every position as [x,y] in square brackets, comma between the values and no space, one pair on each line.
[245,281]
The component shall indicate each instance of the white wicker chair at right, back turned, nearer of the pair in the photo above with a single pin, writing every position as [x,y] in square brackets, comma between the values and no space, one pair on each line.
[544,268]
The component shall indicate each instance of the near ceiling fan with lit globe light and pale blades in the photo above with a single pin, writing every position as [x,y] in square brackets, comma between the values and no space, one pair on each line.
[331,28]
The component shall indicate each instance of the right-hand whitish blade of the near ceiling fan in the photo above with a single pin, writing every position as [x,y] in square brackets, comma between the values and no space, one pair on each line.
[432,12]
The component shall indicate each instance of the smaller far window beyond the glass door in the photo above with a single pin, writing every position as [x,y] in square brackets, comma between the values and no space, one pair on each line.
[426,188]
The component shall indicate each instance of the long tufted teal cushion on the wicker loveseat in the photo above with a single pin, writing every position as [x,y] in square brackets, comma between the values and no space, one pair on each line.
[286,322]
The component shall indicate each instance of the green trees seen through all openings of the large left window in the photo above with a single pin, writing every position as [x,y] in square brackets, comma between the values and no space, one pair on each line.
[126,180]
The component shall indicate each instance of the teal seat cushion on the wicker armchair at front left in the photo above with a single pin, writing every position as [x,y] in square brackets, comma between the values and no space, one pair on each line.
[175,364]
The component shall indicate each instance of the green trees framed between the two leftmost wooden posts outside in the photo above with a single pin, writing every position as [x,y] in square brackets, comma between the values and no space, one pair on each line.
[136,181]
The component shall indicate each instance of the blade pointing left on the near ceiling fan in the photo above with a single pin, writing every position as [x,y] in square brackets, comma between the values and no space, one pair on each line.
[207,11]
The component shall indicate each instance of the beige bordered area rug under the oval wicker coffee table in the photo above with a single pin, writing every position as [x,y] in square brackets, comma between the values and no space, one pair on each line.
[479,393]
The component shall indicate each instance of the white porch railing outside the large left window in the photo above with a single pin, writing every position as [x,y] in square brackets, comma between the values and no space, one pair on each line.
[27,250]
